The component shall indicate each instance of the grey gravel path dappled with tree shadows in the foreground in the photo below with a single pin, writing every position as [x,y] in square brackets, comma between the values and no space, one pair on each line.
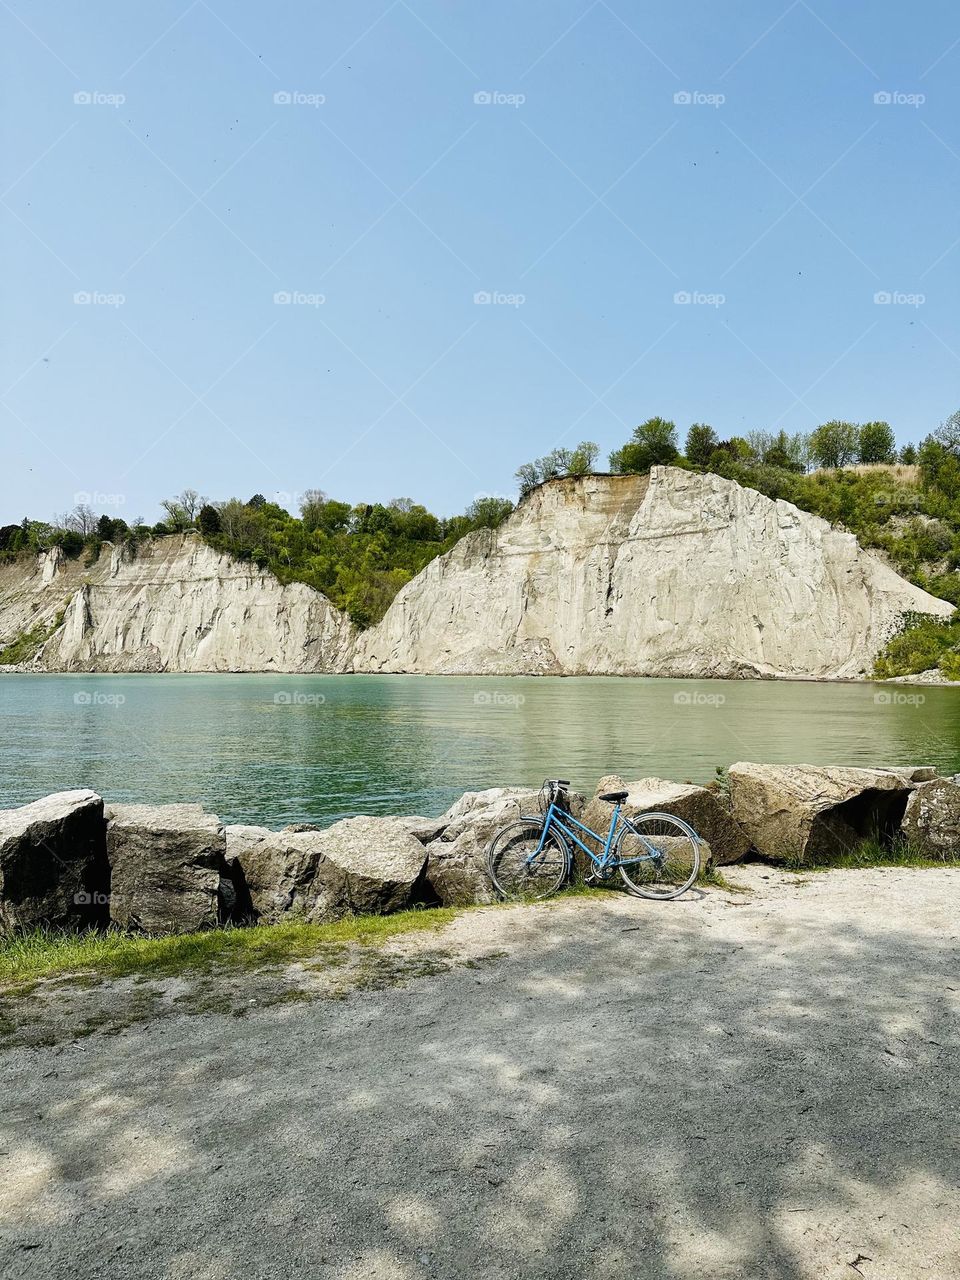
[760,1086]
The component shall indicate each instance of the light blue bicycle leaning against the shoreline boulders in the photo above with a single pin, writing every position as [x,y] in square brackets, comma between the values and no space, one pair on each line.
[656,854]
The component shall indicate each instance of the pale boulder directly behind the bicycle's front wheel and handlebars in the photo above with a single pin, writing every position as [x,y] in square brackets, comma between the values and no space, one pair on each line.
[458,858]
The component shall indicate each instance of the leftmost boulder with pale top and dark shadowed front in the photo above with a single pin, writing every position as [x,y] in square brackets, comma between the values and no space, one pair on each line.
[53,863]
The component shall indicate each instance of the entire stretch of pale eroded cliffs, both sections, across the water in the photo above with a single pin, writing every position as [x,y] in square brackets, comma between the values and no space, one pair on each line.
[670,575]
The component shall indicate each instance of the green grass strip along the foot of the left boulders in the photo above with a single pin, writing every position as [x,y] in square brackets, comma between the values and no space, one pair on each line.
[38,954]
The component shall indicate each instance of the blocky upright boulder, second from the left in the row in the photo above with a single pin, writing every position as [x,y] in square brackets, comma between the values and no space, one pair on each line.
[167,866]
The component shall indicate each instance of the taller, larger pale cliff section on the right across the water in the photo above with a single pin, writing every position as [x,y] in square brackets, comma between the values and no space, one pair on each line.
[675,575]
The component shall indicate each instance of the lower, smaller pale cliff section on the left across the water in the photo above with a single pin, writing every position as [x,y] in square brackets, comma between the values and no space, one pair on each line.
[176,605]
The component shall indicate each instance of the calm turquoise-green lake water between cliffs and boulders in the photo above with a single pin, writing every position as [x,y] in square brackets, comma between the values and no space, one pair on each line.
[278,749]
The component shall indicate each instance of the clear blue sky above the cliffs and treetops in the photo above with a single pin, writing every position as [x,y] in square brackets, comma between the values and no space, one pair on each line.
[598,198]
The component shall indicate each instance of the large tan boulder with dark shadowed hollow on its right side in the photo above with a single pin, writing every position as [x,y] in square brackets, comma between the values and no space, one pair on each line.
[802,813]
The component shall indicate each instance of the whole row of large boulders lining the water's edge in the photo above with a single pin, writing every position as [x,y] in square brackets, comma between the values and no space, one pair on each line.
[71,862]
